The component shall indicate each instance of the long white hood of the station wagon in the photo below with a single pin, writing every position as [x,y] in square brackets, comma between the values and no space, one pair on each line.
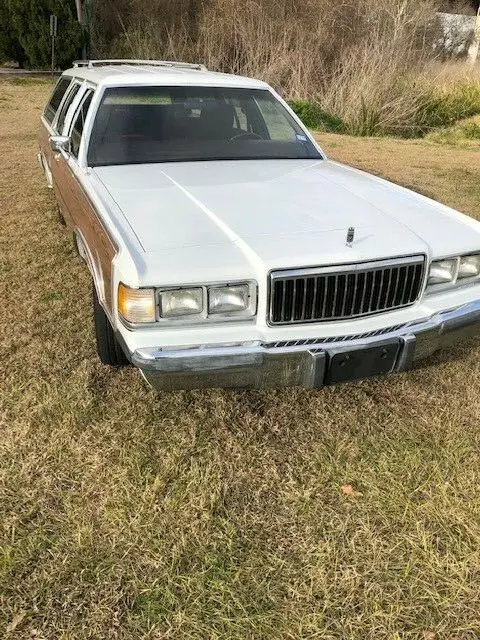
[281,213]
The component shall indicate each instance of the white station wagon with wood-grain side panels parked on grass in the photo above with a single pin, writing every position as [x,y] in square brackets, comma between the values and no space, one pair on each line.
[226,250]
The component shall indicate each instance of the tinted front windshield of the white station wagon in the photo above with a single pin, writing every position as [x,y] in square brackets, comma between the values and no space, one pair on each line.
[167,124]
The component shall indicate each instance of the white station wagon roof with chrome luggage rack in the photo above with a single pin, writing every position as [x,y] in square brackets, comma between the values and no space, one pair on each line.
[155,72]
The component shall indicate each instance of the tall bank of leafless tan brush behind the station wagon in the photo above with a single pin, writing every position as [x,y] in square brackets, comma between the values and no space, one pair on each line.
[355,57]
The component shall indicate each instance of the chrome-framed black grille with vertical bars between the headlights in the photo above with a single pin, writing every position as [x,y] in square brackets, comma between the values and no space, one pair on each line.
[348,291]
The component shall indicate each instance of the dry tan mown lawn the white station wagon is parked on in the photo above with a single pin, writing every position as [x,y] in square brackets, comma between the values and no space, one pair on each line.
[217,514]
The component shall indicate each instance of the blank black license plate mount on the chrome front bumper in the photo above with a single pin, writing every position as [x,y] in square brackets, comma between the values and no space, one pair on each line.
[356,364]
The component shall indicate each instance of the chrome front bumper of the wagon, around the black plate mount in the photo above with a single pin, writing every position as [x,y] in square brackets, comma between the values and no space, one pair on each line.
[302,363]
